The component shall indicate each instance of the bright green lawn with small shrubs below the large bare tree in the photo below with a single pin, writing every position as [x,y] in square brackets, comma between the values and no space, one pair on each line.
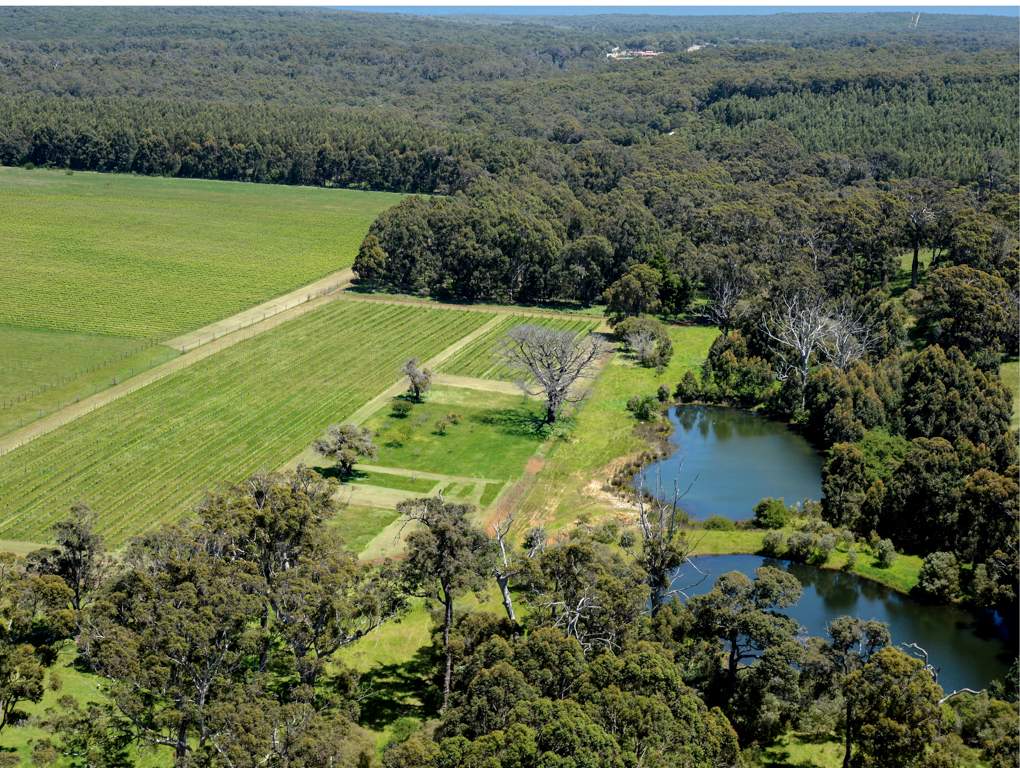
[495,438]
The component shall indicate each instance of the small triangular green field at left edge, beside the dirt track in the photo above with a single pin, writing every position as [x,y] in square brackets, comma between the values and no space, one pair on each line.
[40,371]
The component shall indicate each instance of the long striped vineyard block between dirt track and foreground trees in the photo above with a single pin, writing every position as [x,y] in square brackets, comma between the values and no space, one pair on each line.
[146,457]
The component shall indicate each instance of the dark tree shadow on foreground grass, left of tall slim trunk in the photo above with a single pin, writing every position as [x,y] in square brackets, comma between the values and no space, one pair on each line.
[399,691]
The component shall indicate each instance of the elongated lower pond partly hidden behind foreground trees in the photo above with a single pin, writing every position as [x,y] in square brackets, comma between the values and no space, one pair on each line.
[972,651]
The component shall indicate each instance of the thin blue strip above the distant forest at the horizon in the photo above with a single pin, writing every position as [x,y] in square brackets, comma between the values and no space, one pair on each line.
[678,11]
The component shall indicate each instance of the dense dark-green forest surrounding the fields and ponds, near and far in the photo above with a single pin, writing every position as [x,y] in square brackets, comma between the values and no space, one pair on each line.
[769,183]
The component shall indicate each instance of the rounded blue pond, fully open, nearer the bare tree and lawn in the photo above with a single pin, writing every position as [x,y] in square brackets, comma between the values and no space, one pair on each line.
[738,459]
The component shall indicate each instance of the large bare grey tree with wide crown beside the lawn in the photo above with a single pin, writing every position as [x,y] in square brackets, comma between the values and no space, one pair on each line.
[551,363]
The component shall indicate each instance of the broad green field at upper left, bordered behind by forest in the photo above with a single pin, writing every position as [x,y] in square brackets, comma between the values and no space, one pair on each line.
[154,259]
